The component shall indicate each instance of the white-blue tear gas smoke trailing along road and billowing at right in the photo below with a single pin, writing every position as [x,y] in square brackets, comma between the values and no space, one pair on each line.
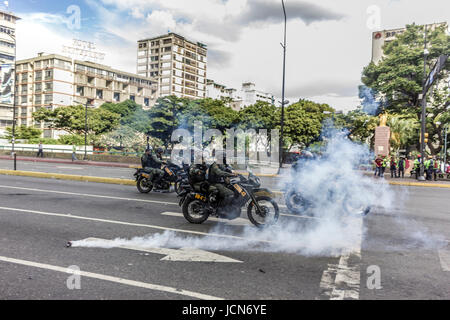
[329,183]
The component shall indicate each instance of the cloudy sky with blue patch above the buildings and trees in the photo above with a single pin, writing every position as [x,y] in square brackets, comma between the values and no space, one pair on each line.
[328,41]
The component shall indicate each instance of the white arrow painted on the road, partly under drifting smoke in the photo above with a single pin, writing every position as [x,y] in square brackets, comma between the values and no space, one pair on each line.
[182,254]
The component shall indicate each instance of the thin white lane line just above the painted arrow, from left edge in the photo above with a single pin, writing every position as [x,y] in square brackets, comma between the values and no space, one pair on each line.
[133,224]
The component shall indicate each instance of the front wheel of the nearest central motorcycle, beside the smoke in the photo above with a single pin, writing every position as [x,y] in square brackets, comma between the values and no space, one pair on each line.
[269,215]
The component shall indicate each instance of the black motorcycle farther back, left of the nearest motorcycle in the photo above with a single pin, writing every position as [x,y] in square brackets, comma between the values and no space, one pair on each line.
[144,185]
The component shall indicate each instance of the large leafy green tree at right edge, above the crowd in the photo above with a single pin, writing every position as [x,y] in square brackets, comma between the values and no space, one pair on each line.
[397,79]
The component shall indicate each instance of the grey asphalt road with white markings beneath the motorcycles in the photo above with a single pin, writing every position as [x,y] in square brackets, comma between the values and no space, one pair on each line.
[39,216]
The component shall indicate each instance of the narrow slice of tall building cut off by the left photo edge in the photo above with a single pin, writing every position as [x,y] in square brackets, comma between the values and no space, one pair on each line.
[7,57]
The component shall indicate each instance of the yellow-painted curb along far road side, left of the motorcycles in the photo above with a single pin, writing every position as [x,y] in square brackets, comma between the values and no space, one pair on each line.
[68,177]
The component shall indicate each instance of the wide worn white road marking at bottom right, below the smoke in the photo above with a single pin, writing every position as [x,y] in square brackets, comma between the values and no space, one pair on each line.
[342,281]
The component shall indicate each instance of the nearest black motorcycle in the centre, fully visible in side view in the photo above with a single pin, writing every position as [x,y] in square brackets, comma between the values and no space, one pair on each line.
[262,210]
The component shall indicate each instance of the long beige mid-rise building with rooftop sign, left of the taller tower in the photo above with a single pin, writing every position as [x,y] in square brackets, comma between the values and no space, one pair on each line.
[52,81]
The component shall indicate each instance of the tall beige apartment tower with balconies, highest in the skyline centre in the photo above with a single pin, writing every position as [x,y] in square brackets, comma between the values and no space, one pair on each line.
[177,63]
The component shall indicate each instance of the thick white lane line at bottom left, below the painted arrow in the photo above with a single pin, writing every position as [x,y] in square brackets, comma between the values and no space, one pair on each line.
[112,279]
